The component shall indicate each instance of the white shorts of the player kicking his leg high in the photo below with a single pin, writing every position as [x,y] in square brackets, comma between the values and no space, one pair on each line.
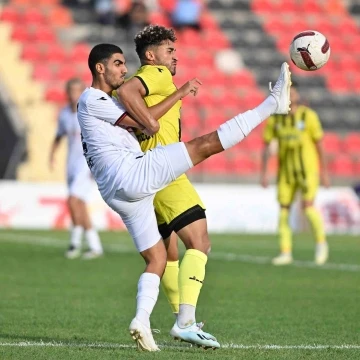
[149,174]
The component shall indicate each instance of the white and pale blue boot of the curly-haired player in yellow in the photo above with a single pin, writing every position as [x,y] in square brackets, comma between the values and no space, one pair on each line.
[194,335]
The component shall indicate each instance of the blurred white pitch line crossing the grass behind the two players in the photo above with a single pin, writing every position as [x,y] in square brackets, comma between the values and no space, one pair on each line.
[119,248]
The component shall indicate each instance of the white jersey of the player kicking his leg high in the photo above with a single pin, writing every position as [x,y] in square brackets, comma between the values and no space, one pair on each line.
[109,149]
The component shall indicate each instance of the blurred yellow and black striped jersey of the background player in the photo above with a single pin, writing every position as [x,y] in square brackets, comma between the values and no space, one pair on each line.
[297,135]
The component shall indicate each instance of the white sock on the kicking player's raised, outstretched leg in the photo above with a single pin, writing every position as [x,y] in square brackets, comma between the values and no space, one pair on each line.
[236,129]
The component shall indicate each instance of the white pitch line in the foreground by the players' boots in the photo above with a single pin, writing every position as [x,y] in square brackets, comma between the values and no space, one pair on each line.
[166,346]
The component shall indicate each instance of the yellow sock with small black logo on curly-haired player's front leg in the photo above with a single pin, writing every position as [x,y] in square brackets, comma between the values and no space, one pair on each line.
[191,276]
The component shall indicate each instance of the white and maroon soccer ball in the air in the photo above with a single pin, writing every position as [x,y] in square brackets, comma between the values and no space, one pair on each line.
[310,50]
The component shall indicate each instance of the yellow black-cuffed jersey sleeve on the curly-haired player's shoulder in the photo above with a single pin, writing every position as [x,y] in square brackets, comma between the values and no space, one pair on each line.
[155,79]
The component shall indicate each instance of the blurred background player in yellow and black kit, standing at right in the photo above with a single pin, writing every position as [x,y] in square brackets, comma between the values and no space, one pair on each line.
[301,163]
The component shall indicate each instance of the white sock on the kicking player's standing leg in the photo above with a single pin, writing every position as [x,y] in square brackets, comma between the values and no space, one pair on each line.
[148,291]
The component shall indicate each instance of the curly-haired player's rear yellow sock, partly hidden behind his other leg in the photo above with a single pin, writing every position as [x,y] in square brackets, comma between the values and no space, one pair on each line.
[170,284]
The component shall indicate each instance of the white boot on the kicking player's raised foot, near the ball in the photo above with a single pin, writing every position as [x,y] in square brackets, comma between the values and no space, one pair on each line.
[281,90]
